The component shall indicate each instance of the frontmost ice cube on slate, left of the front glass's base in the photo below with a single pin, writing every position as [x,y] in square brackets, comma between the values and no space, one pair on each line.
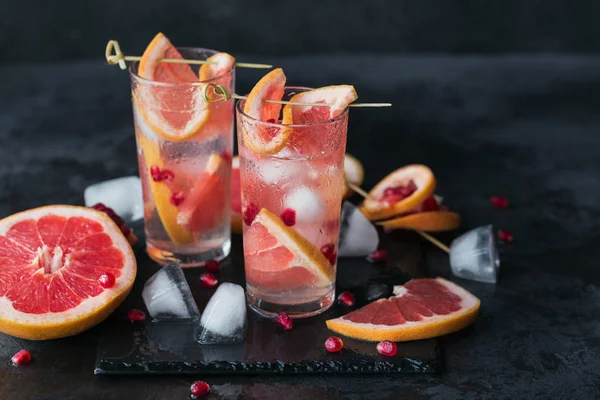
[224,318]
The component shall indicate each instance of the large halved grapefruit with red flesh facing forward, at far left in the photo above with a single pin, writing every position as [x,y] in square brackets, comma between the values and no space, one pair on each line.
[50,261]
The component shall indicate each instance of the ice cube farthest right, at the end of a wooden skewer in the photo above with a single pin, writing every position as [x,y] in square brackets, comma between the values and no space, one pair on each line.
[474,255]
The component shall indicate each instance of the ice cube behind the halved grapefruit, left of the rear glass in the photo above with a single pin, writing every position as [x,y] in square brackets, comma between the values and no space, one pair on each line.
[123,195]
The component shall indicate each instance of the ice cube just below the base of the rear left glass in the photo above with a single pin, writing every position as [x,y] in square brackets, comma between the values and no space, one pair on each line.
[167,295]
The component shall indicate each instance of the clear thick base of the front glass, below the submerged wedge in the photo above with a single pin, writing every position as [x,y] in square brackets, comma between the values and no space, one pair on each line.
[303,310]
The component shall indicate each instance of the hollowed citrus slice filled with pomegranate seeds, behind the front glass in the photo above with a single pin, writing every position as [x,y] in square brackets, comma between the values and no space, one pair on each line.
[388,198]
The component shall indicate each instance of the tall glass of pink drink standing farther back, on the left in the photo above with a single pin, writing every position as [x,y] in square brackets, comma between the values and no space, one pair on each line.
[184,145]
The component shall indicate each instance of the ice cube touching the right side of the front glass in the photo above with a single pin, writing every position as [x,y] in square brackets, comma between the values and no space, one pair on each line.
[358,236]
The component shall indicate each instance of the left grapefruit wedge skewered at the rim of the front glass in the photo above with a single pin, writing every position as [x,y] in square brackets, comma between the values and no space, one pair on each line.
[262,139]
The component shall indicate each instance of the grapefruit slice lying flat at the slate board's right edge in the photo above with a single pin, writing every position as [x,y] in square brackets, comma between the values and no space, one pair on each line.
[421,309]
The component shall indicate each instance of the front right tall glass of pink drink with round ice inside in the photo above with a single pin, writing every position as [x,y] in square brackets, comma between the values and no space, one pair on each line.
[291,203]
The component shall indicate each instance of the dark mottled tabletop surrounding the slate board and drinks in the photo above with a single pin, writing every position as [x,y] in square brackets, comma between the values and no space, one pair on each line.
[523,127]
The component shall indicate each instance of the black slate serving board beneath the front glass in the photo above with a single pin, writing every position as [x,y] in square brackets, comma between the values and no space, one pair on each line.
[169,347]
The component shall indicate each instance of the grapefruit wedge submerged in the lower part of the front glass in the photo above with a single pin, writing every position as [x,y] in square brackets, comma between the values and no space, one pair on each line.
[278,257]
